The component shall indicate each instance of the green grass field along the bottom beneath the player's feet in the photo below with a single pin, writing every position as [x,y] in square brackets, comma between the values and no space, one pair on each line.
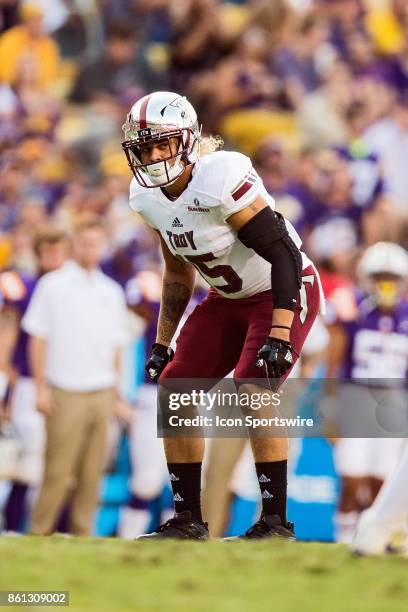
[103,574]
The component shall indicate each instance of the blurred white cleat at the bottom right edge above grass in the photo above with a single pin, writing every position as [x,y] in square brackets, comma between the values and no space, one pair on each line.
[373,537]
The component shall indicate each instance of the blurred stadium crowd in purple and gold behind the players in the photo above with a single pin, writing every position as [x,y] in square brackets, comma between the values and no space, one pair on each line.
[315,91]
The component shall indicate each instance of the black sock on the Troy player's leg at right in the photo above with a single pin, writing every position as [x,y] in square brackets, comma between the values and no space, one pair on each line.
[272,478]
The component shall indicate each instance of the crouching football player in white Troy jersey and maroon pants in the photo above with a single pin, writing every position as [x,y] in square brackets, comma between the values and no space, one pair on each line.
[213,215]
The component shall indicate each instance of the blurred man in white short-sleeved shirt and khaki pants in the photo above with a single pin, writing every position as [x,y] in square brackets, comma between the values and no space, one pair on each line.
[77,323]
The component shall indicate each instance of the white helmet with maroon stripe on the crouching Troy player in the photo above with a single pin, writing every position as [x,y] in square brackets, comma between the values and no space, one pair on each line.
[158,117]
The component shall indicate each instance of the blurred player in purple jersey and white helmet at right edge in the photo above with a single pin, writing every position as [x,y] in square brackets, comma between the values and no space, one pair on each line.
[376,355]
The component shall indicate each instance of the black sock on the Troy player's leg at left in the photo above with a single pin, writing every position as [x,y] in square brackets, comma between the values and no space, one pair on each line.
[186,484]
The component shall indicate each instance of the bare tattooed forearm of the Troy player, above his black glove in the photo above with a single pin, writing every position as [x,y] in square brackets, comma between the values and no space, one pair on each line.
[175,297]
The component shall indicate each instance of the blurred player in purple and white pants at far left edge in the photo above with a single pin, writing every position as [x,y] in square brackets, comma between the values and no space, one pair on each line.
[50,246]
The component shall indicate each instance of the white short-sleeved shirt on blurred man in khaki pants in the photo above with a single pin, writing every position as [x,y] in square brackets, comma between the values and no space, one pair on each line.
[82,316]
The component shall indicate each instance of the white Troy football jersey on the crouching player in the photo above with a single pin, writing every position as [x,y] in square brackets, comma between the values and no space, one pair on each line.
[194,226]
